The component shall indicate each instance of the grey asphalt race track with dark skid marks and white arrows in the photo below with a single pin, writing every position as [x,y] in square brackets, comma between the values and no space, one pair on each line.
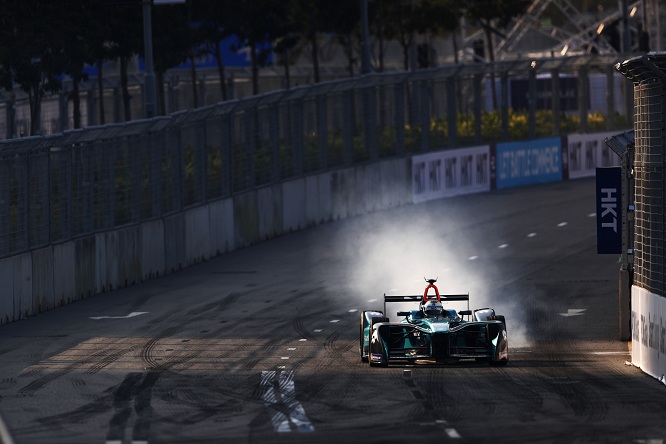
[261,345]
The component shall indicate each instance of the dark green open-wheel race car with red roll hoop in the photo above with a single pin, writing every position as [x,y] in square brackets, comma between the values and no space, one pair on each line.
[433,333]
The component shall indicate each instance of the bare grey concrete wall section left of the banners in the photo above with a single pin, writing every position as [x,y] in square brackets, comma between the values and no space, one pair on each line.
[60,274]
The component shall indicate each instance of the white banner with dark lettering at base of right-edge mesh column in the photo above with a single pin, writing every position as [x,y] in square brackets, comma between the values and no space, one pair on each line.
[648,332]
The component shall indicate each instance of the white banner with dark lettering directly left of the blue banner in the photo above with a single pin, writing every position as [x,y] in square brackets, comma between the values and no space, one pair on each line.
[450,173]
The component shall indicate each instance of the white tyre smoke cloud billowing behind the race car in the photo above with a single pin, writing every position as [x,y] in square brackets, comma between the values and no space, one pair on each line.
[392,252]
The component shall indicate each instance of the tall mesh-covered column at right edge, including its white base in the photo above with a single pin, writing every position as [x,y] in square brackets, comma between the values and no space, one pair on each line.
[648,291]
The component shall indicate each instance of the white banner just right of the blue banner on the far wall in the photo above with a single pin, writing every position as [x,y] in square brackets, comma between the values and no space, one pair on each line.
[586,152]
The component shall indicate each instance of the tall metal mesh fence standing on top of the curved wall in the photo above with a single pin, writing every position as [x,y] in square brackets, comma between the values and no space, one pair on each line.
[58,187]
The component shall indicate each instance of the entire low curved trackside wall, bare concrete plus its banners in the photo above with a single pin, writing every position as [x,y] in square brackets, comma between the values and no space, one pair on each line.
[63,273]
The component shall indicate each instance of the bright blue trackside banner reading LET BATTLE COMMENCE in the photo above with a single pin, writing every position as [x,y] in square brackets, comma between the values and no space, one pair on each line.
[529,162]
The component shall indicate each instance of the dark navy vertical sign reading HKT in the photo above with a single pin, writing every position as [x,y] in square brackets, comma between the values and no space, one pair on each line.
[609,210]
